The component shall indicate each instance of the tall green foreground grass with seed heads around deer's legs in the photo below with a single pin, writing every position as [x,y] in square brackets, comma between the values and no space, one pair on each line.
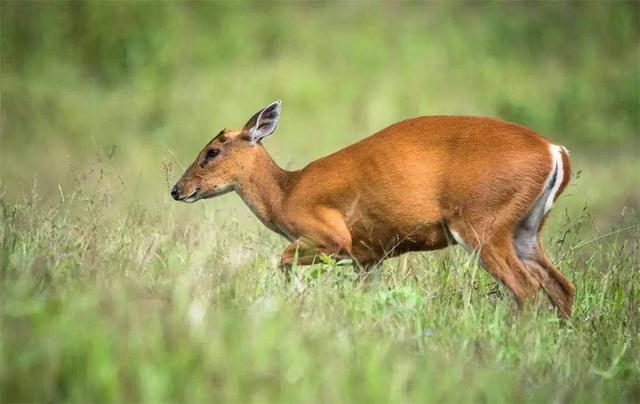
[103,300]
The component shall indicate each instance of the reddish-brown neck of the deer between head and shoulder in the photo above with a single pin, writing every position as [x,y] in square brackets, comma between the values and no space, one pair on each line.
[264,188]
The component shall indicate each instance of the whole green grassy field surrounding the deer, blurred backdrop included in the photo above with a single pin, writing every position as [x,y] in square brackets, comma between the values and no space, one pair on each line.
[110,291]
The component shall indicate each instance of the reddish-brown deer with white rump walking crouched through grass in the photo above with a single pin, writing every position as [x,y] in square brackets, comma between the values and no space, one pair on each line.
[421,184]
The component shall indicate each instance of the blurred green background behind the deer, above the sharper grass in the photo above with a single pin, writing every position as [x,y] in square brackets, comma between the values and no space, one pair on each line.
[148,83]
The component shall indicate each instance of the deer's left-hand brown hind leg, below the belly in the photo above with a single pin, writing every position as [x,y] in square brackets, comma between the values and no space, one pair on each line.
[499,258]
